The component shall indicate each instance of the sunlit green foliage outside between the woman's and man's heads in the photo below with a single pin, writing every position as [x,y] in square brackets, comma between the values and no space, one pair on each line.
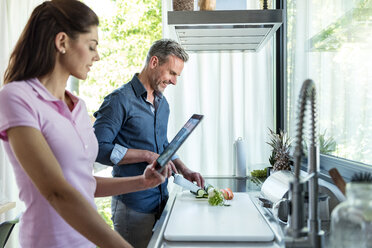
[124,39]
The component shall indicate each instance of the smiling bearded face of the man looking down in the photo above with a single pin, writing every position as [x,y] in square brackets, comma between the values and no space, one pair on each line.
[166,73]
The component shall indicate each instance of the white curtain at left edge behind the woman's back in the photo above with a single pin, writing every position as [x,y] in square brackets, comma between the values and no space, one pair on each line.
[13,17]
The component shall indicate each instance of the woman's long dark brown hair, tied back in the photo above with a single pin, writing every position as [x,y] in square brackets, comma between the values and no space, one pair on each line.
[35,53]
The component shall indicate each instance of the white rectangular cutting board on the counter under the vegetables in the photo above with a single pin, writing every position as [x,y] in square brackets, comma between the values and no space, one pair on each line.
[194,219]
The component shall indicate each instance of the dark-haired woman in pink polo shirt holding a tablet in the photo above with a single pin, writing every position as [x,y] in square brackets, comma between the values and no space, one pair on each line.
[48,135]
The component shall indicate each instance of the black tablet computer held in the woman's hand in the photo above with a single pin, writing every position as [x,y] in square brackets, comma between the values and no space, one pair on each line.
[177,141]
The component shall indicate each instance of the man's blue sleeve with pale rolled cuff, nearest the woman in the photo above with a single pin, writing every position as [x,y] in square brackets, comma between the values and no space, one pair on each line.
[106,128]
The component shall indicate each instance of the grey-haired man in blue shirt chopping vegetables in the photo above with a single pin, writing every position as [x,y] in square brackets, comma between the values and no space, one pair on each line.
[131,128]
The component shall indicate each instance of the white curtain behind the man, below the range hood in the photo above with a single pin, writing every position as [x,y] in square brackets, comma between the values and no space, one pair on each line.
[234,92]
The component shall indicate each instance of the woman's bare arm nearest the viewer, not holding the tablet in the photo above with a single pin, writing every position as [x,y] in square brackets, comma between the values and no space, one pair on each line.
[35,156]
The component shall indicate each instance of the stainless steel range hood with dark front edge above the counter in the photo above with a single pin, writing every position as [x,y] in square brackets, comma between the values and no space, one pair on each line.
[224,30]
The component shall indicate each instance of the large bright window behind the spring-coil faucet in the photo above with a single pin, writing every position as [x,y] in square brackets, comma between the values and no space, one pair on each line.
[330,42]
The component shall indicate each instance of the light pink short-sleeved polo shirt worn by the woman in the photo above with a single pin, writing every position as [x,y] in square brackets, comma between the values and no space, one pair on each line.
[70,136]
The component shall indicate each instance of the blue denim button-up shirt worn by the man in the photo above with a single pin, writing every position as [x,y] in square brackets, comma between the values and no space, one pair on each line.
[126,120]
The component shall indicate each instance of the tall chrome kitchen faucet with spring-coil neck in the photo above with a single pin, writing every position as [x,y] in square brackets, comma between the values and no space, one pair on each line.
[297,235]
